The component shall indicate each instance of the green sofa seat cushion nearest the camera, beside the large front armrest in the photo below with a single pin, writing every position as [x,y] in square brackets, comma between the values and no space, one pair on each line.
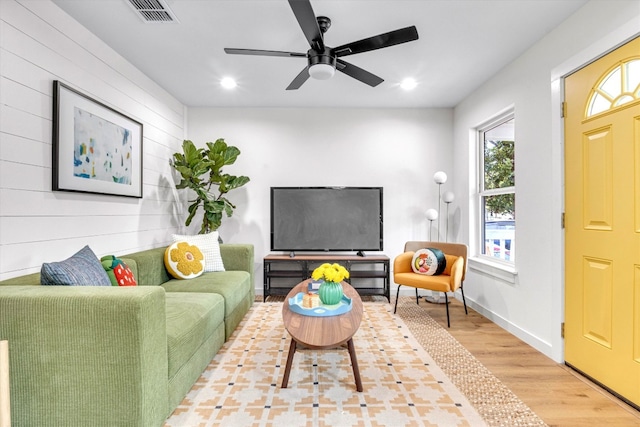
[191,319]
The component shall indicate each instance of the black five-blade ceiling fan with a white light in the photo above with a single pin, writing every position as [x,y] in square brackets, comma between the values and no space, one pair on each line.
[322,60]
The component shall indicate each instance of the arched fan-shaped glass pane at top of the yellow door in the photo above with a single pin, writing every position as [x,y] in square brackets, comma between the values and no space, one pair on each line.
[617,87]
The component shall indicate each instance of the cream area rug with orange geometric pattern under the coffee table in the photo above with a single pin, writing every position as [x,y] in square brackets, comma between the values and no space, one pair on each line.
[403,386]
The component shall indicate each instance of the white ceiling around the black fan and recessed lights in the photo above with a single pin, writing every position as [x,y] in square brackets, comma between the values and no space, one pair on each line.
[462,43]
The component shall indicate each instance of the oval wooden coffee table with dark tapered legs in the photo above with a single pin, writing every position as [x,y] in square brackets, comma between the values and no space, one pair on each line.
[319,333]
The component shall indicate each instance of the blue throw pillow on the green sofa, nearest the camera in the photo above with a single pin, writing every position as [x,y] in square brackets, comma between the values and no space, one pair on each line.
[81,269]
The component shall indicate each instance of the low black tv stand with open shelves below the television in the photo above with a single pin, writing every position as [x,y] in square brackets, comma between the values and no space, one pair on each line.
[369,275]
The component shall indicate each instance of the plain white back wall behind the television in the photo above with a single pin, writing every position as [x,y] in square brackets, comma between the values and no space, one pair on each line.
[397,149]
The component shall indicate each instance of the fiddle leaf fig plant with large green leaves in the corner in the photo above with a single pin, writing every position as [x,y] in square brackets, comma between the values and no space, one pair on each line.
[201,171]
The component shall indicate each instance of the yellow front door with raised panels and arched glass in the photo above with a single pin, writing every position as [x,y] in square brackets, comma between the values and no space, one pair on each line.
[602,203]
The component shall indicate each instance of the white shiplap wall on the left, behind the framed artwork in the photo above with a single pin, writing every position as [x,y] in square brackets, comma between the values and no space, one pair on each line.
[39,43]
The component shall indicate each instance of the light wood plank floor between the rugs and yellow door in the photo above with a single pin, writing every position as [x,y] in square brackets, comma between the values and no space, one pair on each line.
[557,394]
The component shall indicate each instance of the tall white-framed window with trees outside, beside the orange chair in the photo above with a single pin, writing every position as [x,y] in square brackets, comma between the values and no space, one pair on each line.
[497,192]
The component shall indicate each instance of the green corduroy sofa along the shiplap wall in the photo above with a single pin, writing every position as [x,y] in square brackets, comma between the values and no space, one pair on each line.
[118,356]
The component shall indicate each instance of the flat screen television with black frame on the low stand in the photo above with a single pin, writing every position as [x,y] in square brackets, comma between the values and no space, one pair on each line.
[326,219]
